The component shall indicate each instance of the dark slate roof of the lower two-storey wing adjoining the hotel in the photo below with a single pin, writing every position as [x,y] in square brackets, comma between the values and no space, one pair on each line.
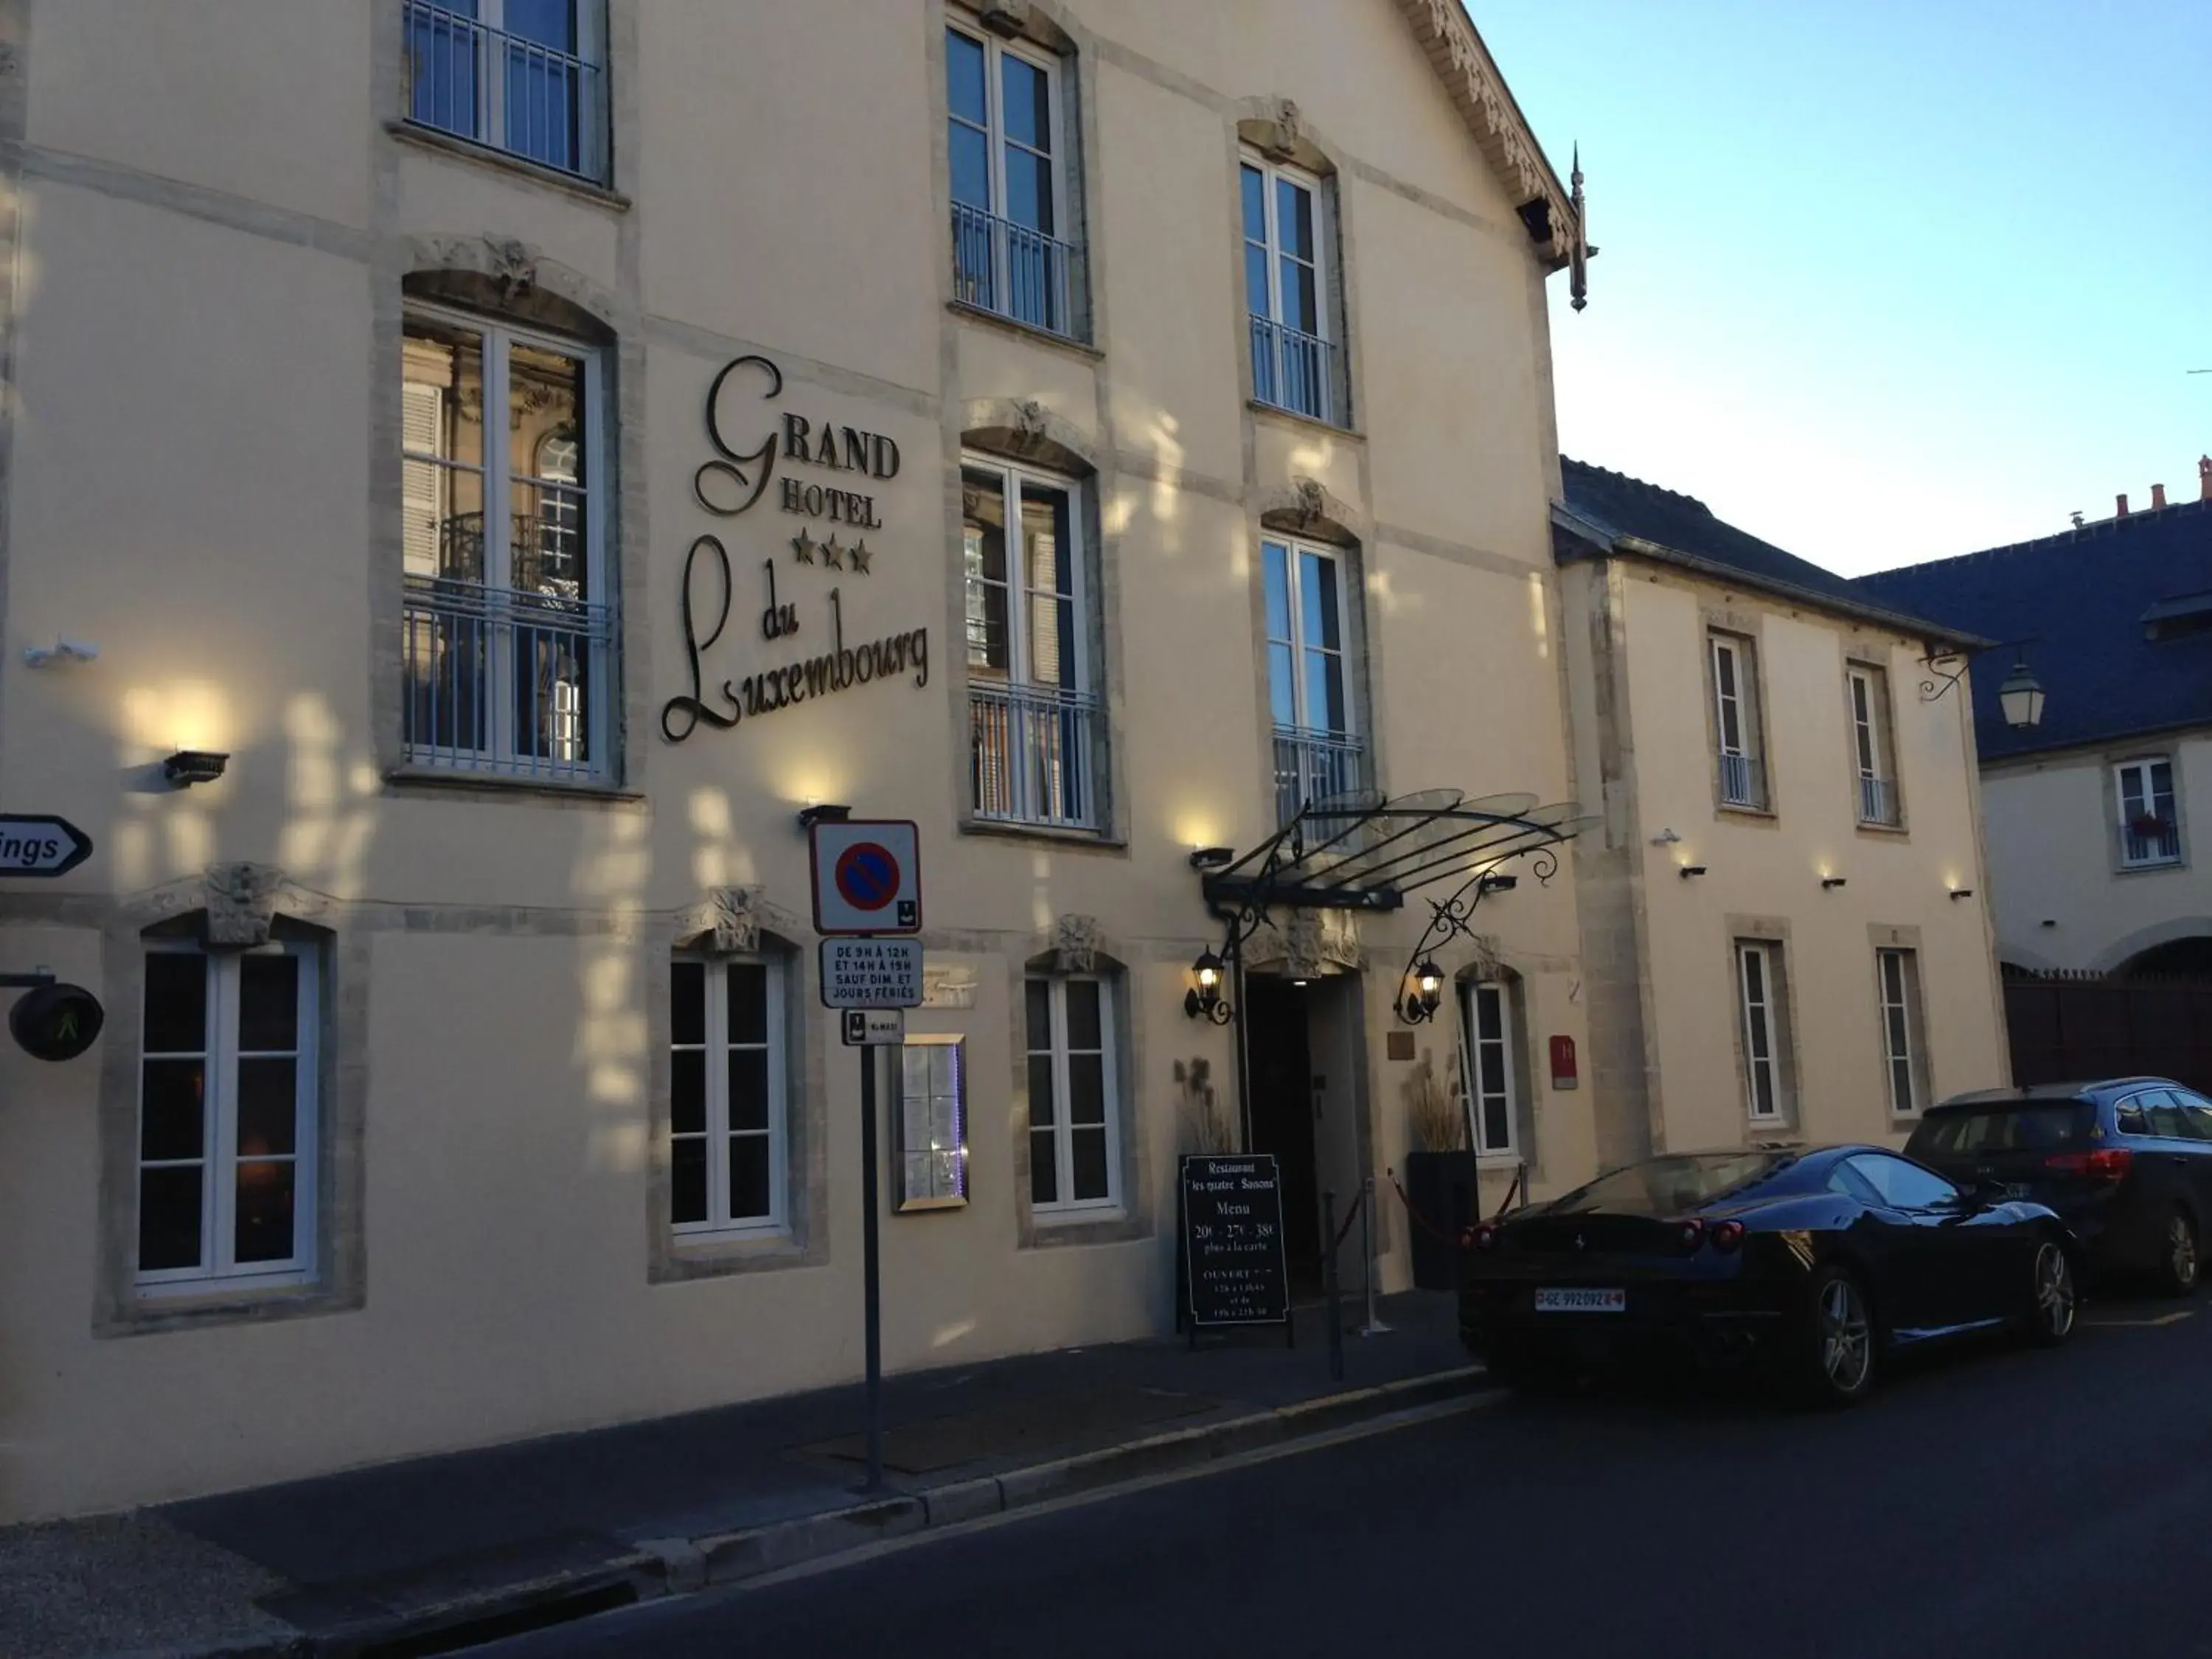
[1631,517]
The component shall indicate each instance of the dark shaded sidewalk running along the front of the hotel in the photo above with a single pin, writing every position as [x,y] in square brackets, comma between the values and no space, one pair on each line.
[585,1521]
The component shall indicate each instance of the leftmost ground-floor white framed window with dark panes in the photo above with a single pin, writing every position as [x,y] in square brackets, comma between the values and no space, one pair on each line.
[227,1127]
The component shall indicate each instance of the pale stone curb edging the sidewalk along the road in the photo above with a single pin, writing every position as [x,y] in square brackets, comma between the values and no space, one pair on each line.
[689,1565]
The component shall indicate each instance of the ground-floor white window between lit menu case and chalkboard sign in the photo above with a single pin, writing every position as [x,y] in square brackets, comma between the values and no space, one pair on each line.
[1074,1096]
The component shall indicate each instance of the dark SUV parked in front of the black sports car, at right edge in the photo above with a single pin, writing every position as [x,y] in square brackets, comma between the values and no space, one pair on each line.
[2125,1162]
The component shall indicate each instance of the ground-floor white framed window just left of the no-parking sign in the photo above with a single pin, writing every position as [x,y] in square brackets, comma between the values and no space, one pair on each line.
[727,1096]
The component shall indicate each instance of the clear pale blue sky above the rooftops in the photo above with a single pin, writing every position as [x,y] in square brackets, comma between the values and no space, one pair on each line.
[1884,280]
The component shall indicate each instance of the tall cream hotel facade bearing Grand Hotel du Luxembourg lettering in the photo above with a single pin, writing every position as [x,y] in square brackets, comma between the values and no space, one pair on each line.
[1089,428]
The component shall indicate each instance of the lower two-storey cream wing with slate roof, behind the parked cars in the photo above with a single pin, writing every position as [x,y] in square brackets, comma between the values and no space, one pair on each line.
[1786,917]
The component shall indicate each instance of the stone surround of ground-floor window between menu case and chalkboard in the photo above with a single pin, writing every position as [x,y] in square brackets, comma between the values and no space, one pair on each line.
[1083,948]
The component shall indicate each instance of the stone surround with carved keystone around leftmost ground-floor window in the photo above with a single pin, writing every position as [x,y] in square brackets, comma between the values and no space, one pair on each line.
[233,908]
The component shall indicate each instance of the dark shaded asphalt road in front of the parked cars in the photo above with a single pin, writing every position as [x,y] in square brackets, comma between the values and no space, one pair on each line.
[1999,1503]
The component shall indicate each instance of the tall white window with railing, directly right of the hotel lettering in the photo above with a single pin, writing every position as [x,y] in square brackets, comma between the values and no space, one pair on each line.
[1036,720]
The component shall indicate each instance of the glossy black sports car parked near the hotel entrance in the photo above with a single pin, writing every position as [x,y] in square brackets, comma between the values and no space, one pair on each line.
[1819,1264]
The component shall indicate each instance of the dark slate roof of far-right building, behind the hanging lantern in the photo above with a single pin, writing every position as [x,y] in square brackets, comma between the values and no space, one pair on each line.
[2087,594]
